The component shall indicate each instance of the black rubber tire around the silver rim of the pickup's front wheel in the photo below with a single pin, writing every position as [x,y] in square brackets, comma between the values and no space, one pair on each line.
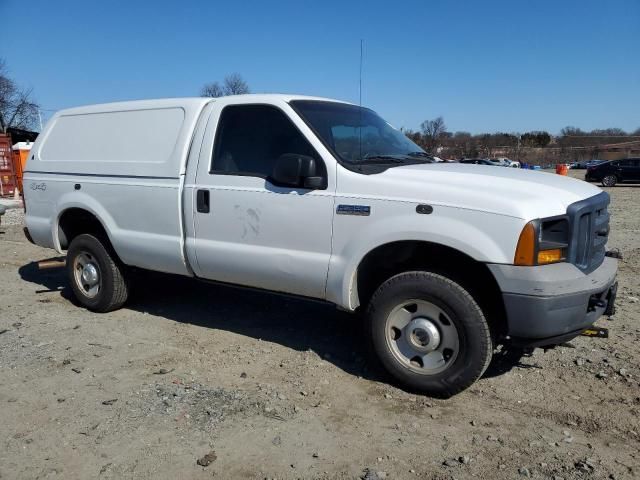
[474,343]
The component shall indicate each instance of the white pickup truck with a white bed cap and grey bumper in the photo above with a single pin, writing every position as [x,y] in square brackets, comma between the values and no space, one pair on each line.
[324,199]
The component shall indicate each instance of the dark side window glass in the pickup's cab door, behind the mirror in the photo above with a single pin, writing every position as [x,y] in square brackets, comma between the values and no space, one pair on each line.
[250,138]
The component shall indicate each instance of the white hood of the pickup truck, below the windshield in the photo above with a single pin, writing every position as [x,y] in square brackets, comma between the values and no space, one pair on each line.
[525,194]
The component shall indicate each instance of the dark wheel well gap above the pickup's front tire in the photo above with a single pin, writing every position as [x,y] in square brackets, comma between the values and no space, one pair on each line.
[390,259]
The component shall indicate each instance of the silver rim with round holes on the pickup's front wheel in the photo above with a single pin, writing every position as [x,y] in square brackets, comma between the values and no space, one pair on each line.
[422,337]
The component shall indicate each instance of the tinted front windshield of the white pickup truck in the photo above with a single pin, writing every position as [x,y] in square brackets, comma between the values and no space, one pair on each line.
[358,136]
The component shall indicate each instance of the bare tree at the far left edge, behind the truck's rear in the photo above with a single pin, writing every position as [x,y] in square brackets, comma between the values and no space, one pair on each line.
[17,109]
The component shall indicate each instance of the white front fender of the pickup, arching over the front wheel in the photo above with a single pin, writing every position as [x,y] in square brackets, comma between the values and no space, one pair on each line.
[485,237]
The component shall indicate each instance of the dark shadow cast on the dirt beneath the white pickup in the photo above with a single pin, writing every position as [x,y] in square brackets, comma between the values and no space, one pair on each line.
[295,323]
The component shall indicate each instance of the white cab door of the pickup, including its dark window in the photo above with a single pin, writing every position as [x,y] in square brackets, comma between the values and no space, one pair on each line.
[247,230]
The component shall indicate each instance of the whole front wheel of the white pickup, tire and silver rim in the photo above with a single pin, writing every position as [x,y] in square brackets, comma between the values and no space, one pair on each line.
[429,333]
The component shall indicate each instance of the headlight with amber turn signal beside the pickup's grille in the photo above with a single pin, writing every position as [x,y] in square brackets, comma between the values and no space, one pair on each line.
[542,242]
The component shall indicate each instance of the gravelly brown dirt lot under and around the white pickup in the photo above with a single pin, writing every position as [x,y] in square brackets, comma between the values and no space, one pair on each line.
[271,387]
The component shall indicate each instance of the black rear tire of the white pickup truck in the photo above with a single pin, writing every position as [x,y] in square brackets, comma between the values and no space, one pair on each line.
[113,285]
